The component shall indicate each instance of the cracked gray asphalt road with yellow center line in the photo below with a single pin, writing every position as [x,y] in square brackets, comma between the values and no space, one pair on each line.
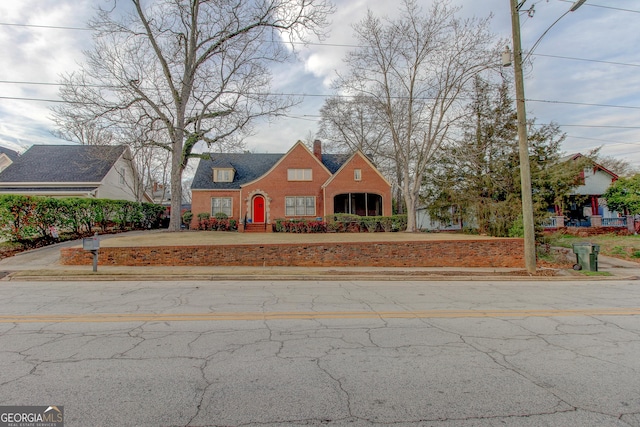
[409,353]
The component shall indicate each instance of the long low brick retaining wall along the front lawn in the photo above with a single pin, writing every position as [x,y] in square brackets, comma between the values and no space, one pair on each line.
[459,253]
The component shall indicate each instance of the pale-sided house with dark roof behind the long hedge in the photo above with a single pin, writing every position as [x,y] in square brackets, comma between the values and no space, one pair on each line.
[97,171]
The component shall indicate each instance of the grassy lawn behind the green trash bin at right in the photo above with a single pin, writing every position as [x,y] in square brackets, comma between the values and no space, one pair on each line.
[625,247]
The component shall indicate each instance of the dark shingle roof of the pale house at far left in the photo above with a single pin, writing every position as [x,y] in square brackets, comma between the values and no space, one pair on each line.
[62,163]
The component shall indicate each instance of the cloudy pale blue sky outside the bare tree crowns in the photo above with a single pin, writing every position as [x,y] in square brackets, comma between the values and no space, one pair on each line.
[585,72]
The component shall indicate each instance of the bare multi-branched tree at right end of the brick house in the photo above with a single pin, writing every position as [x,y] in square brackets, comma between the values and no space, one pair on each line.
[418,69]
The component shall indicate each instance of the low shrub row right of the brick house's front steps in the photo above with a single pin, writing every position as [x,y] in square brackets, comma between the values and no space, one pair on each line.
[343,223]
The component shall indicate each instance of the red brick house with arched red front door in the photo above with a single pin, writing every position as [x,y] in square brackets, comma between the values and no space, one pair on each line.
[257,189]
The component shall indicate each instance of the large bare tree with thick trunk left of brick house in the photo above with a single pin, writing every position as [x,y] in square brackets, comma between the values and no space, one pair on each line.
[190,70]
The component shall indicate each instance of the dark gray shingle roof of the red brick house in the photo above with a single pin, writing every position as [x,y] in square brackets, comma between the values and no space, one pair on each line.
[248,167]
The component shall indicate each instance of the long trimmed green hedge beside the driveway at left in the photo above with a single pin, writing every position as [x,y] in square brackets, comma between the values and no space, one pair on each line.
[32,217]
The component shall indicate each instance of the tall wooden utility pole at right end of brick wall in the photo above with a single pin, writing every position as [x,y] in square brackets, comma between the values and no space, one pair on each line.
[523,145]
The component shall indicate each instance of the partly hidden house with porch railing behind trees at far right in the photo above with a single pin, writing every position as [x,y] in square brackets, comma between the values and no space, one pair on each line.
[586,207]
